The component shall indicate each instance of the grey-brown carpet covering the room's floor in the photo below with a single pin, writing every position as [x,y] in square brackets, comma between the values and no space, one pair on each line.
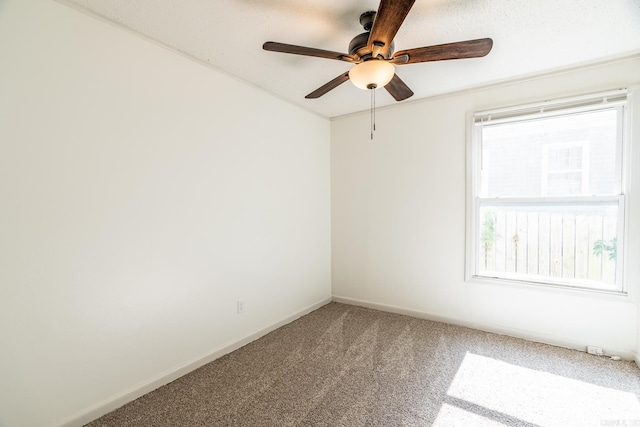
[343,365]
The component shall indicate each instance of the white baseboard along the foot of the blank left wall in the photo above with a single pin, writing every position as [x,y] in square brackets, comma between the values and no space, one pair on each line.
[96,411]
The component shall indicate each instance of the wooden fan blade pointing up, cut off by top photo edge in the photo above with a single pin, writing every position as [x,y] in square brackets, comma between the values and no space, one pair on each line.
[390,15]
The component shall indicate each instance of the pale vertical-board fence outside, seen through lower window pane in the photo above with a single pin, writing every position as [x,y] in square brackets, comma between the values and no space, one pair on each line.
[546,244]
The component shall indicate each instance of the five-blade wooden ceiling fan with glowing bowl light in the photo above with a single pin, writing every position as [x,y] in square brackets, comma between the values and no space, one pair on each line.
[373,56]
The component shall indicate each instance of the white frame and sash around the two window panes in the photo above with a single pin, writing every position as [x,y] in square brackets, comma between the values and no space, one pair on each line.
[612,99]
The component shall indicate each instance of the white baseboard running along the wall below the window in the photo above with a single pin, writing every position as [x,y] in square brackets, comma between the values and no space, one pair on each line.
[497,329]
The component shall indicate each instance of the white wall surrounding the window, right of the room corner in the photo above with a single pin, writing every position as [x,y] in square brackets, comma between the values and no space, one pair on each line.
[398,219]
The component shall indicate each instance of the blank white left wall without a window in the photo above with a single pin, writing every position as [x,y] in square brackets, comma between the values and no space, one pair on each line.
[141,195]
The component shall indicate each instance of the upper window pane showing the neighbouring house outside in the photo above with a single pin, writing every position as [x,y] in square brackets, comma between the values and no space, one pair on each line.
[571,155]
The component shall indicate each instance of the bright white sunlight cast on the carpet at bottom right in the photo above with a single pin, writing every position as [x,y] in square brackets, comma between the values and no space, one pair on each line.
[535,397]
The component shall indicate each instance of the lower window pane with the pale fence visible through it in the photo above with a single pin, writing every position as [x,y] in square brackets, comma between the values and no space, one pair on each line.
[541,242]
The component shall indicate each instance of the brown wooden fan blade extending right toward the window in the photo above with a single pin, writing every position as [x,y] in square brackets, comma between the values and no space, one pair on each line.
[459,50]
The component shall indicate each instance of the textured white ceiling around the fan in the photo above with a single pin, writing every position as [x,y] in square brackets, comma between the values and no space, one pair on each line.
[529,37]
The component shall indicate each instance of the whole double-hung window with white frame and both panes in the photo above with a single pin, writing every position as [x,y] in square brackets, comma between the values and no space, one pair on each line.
[546,194]
